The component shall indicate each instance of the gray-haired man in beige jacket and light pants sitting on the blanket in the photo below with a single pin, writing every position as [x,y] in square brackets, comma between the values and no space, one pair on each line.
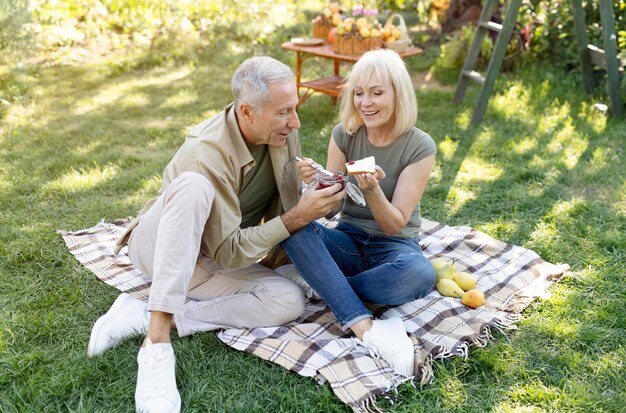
[229,196]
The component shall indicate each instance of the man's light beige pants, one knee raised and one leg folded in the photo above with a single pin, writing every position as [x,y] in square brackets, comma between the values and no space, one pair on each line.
[165,245]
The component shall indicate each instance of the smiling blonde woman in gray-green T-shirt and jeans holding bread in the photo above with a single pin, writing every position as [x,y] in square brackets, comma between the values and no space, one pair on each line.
[373,255]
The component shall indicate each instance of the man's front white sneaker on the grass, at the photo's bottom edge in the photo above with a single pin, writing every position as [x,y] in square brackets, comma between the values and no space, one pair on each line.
[156,390]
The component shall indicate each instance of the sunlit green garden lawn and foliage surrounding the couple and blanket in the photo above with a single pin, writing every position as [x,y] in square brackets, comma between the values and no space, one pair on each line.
[96,96]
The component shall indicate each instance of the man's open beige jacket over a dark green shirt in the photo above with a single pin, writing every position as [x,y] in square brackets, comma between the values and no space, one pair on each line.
[215,148]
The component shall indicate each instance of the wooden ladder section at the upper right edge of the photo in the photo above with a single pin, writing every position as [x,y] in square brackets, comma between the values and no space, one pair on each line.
[605,58]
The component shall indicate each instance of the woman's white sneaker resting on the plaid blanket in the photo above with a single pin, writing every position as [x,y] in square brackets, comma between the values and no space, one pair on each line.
[388,340]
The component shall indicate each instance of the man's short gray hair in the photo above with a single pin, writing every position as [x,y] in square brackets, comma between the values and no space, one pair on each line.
[250,83]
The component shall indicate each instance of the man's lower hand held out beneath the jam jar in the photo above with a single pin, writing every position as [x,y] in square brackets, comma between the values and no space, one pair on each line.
[313,204]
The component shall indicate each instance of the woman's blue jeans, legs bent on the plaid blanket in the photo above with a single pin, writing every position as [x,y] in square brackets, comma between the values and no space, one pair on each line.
[347,267]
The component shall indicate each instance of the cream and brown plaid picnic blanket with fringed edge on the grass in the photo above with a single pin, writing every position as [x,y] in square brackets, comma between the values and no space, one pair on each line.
[314,345]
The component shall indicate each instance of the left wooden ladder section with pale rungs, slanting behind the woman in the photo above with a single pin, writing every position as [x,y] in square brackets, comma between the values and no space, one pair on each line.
[468,73]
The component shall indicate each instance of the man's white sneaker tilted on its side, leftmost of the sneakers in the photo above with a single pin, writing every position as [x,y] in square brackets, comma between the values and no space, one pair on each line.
[127,317]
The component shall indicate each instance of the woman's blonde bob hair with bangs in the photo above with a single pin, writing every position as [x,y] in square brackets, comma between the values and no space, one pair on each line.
[387,67]
